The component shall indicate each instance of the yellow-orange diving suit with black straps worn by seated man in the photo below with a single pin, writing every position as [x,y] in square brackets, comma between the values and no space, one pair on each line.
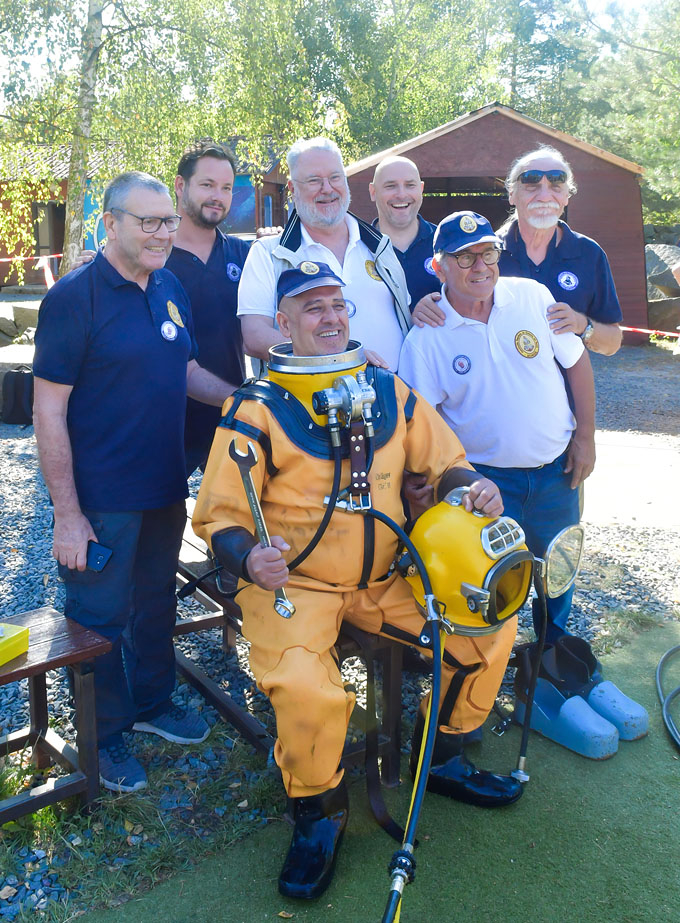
[344,577]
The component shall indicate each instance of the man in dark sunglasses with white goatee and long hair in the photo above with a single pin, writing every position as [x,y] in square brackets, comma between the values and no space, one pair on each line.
[536,244]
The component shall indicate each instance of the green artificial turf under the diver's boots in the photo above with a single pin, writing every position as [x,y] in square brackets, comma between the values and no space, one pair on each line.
[587,842]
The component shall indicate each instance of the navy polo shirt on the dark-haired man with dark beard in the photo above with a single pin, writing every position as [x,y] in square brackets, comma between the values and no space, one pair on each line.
[212,289]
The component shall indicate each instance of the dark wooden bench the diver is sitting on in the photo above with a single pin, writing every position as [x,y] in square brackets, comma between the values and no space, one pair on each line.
[225,614]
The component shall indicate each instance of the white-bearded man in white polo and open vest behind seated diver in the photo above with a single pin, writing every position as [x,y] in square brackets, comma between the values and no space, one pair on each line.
[322,230]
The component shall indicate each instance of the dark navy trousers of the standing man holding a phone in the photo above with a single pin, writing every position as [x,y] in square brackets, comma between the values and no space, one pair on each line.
[132,603]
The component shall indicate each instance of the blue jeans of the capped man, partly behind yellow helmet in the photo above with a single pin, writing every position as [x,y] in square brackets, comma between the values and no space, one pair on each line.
[543,503]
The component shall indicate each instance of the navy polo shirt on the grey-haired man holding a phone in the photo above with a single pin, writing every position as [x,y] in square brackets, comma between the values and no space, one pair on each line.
[125,352]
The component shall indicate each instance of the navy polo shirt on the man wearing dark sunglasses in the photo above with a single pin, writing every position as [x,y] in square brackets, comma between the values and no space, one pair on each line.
[576,271]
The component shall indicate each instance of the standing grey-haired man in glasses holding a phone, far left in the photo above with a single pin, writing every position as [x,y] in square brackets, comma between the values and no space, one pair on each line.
[114,363]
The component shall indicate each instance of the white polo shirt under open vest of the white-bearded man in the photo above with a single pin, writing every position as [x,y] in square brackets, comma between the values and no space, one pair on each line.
[373,320]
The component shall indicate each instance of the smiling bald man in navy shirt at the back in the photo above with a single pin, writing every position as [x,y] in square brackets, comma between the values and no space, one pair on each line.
[397,191]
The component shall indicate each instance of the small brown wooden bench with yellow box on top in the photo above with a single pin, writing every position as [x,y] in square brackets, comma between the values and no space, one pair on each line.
[55,641]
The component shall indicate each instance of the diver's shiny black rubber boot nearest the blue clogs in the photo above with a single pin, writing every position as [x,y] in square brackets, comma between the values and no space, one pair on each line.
[453,774]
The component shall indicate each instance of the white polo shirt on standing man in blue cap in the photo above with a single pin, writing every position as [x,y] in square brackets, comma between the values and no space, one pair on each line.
[497,384]
